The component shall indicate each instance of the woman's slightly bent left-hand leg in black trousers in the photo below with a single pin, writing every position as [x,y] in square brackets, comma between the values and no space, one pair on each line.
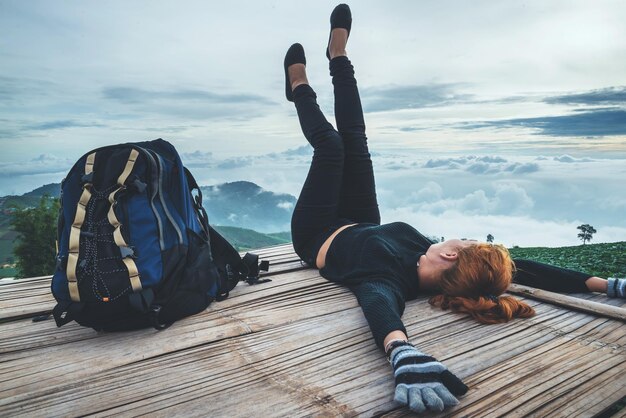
[317,207]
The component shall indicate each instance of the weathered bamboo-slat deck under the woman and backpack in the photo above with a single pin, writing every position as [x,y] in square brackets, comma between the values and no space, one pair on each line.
[300,346]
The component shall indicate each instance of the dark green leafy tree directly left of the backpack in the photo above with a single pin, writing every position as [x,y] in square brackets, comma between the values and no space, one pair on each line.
[36,227]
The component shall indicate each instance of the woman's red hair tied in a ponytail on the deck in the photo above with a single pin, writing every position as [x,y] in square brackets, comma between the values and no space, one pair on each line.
[472,285]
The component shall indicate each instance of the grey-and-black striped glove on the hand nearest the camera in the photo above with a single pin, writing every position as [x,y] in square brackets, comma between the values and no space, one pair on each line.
[421,381]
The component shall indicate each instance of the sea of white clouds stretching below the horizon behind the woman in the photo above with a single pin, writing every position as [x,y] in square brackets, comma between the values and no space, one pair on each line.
[520,200]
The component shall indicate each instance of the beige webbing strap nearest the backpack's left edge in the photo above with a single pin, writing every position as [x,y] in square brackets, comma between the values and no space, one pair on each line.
[74,244]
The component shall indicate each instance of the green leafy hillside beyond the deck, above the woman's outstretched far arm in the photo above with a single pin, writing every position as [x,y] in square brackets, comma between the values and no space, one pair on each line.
[602,260]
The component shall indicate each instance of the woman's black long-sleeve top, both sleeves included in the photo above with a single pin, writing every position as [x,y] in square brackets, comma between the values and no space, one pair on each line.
[379,264]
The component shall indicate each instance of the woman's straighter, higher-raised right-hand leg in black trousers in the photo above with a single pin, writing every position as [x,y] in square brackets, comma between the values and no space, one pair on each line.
[358,191]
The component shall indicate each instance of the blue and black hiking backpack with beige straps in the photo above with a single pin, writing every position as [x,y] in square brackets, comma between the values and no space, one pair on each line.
[135,248]
